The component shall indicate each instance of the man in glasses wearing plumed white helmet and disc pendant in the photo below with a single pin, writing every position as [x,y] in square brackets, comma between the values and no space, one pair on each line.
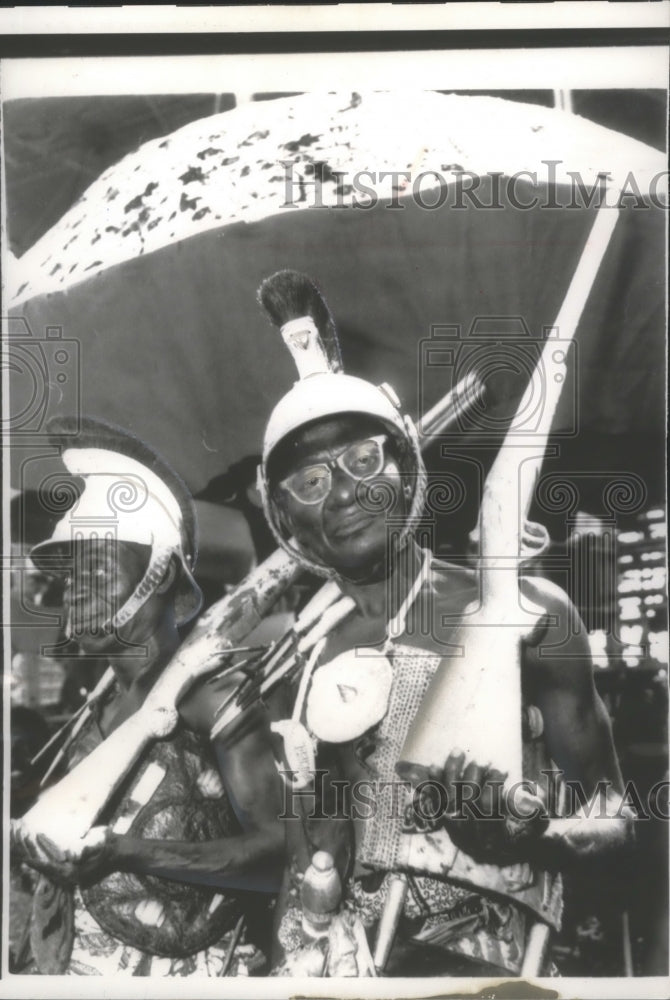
[343,483]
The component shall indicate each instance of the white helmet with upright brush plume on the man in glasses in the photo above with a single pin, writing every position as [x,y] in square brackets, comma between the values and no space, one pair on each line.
[323,390]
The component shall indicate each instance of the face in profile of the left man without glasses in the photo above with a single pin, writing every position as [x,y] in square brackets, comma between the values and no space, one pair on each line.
[103,576]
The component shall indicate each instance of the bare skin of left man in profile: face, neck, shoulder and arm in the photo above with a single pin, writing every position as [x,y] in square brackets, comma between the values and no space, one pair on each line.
[103,579]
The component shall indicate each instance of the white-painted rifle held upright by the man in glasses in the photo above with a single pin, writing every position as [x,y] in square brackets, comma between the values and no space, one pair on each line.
[474,699]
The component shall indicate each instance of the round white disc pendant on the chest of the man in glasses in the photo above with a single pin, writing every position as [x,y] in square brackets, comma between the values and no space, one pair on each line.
[349,695]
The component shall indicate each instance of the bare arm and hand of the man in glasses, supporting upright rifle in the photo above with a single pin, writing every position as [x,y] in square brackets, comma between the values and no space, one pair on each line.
[558,678]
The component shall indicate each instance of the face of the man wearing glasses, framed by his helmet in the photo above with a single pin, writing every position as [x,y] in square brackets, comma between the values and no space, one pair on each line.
[347,529]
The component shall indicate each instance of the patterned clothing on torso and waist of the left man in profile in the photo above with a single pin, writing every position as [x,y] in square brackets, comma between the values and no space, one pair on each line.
[141,924]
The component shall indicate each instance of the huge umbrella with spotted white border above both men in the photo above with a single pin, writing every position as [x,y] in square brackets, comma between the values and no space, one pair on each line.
[149,280]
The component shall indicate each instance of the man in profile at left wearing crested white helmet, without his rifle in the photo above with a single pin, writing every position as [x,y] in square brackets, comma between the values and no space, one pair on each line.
[194,821]
